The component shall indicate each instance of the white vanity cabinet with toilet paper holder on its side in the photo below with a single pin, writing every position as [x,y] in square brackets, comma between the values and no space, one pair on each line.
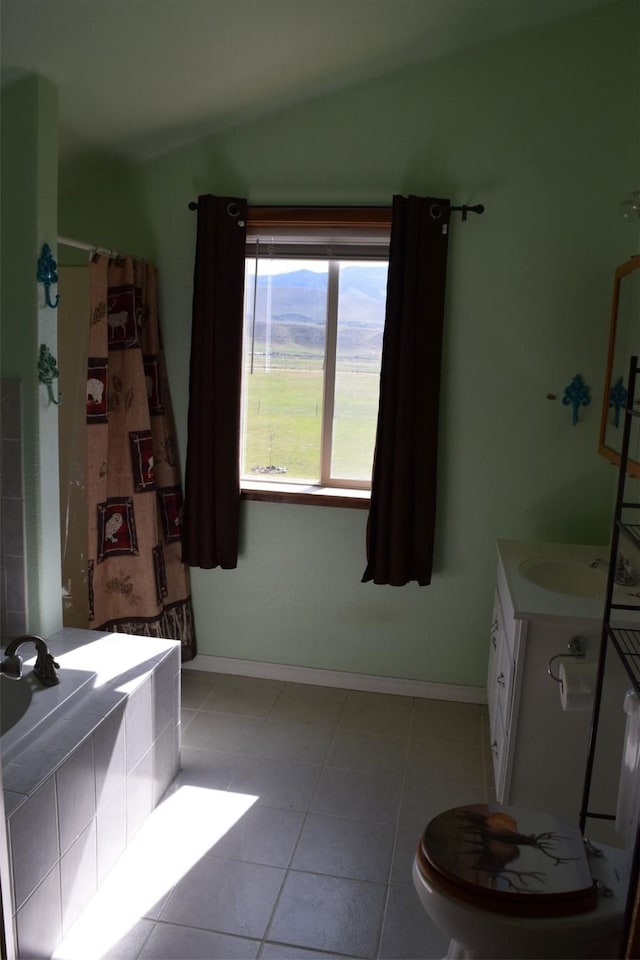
[539,750]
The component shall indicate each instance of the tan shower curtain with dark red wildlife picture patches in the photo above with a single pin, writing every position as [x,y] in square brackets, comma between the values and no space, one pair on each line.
[136,579]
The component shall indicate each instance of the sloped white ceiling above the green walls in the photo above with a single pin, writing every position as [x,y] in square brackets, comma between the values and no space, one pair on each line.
[139,77]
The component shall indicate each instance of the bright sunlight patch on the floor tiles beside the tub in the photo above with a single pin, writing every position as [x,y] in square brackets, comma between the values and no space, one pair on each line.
[180,831]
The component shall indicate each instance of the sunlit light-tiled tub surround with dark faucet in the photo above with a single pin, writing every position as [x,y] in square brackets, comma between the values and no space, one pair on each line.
[77,794]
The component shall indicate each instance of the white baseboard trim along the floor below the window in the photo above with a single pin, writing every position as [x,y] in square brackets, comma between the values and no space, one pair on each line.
[338,678]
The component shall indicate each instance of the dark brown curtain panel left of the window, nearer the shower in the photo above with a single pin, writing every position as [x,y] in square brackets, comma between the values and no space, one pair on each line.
[212,474]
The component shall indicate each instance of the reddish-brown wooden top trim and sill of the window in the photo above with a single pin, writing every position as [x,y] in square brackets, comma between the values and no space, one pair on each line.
[261,218]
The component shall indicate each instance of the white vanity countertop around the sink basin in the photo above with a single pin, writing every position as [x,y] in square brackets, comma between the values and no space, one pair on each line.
[532,602]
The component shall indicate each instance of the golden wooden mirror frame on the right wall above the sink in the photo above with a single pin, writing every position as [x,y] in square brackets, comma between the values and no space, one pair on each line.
[621,330]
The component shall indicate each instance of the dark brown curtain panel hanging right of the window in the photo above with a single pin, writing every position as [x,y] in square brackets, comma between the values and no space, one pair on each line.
[400,530]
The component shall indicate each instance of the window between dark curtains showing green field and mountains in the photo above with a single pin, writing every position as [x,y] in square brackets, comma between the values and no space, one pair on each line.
[315,295]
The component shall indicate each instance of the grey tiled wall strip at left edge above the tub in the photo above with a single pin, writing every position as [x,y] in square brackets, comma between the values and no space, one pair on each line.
[13,606]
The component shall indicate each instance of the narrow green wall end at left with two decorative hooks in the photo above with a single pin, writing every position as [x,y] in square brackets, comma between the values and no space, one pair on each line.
[29,219]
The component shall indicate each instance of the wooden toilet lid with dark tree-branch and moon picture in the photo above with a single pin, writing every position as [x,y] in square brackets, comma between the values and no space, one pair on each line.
[509,859]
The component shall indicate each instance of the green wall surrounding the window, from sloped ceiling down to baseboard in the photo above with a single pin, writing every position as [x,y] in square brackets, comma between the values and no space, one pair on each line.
[542,128]
